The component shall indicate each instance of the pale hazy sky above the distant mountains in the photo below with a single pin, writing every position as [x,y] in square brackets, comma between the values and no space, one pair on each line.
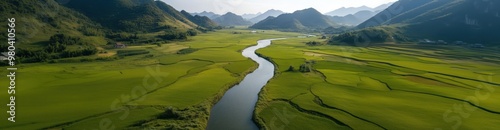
[254,6]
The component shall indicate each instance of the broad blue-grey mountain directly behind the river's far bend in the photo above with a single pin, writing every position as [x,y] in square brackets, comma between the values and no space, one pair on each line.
[298,20]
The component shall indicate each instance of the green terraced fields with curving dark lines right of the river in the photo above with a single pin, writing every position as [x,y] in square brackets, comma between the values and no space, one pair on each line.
[380,87]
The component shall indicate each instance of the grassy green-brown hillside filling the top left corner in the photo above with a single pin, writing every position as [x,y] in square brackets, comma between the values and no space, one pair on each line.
[37,20]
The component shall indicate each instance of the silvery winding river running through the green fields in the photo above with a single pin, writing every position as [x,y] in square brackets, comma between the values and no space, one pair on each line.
[235,109]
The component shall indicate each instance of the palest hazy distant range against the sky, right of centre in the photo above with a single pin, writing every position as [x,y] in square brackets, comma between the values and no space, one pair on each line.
[352,10]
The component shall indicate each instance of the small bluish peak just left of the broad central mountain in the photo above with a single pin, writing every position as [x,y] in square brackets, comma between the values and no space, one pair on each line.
[231,19]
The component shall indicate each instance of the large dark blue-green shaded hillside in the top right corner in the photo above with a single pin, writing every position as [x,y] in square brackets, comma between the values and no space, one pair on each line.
[450,20]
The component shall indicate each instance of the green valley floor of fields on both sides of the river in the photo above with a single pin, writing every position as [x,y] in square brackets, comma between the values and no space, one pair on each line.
[378,87]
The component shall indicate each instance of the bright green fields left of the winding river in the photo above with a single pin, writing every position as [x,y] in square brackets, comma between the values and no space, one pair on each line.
[156,88]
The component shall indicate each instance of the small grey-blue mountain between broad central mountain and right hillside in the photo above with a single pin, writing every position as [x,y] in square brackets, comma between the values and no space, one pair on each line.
[353,19]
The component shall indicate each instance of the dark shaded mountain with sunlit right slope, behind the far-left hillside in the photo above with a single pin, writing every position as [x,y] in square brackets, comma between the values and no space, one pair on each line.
[132,15]
